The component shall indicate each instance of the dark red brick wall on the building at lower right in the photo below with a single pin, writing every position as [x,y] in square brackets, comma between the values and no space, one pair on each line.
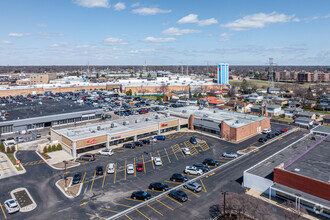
[302,183]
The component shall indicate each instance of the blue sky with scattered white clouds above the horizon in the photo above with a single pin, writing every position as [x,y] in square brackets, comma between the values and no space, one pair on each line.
[164,32]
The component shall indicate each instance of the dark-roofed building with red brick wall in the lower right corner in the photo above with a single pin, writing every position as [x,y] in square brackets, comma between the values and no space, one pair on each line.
[298,173]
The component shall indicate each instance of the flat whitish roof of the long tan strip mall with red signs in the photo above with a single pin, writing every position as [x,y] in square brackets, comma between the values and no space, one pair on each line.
[104,128]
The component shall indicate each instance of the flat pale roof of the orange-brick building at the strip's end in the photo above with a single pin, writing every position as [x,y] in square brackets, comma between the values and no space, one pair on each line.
[233,119]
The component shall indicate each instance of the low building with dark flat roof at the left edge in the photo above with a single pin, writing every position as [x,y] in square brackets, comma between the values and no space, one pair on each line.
[23,117]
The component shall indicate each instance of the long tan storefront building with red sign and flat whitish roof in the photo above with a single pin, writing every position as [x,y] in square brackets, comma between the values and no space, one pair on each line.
[98,135]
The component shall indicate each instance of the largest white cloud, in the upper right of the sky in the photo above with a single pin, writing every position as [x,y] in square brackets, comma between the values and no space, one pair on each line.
[259,20]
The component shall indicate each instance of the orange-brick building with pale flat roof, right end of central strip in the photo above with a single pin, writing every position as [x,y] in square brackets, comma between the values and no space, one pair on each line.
[232,126]
